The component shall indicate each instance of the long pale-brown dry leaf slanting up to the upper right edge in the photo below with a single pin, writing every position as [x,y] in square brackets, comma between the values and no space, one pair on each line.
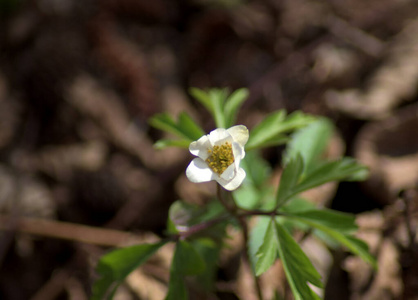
[392,84]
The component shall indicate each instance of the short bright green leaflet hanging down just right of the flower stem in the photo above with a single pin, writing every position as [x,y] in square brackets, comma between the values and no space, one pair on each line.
[267,253]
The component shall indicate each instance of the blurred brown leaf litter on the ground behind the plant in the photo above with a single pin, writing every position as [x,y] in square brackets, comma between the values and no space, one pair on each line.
[80,79]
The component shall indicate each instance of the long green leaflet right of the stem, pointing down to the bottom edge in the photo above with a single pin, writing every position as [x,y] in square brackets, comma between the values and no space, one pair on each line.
[297,266]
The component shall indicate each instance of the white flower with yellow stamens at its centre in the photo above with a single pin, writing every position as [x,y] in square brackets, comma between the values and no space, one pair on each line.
[218,157]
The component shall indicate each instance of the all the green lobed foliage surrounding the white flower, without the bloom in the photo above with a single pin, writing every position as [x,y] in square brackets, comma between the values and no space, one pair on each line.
[199,230]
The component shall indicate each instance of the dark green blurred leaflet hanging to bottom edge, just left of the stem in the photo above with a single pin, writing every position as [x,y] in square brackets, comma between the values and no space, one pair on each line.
[186,261]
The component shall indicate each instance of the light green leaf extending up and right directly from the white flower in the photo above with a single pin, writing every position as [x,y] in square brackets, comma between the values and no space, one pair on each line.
[275,125]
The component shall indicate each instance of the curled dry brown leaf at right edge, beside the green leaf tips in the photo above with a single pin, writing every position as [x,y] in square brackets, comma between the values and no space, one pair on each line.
[389,148]
